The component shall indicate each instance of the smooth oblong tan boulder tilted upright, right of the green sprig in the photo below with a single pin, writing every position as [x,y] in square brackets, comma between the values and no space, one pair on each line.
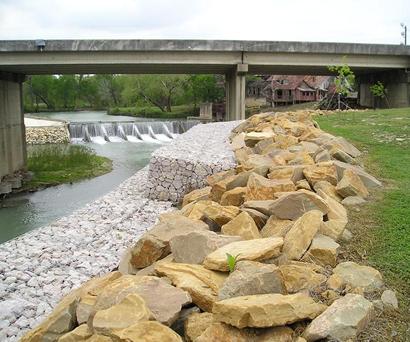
[301,234]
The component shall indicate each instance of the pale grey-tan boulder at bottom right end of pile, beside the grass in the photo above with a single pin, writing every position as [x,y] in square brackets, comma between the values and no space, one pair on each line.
[341,321]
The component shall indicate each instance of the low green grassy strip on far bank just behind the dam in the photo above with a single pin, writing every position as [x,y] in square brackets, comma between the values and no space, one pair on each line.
[178,112]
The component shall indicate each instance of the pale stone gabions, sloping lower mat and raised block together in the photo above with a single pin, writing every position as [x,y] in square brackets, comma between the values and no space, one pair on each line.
[38,268]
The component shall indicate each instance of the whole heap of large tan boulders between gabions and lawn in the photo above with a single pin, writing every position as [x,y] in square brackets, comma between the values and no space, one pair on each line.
[253,256]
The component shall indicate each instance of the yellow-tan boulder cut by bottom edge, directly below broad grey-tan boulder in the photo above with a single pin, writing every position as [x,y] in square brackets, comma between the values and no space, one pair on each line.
[147,332]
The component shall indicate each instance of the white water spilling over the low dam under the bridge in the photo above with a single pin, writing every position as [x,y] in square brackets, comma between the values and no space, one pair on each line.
[150,131]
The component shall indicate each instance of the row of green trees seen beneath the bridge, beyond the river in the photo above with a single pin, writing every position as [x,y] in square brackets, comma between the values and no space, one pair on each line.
[69,92]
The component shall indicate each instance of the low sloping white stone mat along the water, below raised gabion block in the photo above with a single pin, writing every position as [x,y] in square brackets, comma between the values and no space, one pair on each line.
[38,268]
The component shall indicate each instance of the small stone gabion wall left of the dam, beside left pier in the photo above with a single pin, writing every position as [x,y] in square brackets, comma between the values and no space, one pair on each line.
[47,135]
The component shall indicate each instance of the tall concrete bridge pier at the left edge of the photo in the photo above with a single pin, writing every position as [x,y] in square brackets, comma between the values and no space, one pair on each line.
[12,130]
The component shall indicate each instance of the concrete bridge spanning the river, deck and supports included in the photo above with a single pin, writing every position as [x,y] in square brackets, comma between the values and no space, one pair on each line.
[234,59]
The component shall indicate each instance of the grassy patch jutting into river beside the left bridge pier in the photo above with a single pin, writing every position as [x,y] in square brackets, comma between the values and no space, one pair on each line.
[57,164]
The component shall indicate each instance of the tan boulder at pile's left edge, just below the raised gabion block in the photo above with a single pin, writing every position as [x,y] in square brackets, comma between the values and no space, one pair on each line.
[214,212]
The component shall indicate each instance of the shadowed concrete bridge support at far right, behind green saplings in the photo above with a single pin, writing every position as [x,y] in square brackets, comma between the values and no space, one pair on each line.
[397,83]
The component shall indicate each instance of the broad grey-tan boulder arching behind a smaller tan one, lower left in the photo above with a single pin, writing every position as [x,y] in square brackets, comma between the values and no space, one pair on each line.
[163,300]
